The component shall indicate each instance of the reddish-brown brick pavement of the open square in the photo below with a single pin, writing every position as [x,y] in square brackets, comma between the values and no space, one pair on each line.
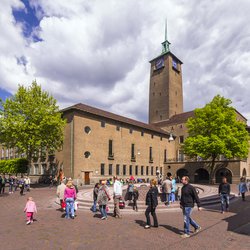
[51,231]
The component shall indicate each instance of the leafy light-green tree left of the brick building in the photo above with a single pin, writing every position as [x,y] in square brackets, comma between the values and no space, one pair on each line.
[30,121]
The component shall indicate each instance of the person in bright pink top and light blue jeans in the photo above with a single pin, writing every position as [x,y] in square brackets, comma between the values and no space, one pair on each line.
[69,198]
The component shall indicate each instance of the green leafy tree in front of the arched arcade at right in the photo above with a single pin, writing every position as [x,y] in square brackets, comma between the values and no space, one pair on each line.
[215,131]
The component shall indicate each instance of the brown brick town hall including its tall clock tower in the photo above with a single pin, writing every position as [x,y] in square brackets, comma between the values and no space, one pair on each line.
[99,144]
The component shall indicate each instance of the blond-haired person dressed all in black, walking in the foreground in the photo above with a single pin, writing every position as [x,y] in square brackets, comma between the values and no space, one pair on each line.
[151,202]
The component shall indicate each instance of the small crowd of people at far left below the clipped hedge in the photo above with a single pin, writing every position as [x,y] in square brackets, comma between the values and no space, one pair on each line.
[14,183]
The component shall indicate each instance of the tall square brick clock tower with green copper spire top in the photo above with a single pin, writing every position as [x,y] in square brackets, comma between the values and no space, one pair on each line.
[165,93]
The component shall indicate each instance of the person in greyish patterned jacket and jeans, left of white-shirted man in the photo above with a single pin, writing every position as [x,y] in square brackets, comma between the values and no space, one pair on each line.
[102,199]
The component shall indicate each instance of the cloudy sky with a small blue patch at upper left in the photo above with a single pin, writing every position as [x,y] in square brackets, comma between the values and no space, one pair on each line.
[97,52]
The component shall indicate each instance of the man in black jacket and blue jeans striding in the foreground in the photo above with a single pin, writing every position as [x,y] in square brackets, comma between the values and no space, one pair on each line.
[188,197]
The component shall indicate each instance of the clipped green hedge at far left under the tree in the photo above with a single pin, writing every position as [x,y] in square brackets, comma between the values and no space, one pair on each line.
[14,166]
